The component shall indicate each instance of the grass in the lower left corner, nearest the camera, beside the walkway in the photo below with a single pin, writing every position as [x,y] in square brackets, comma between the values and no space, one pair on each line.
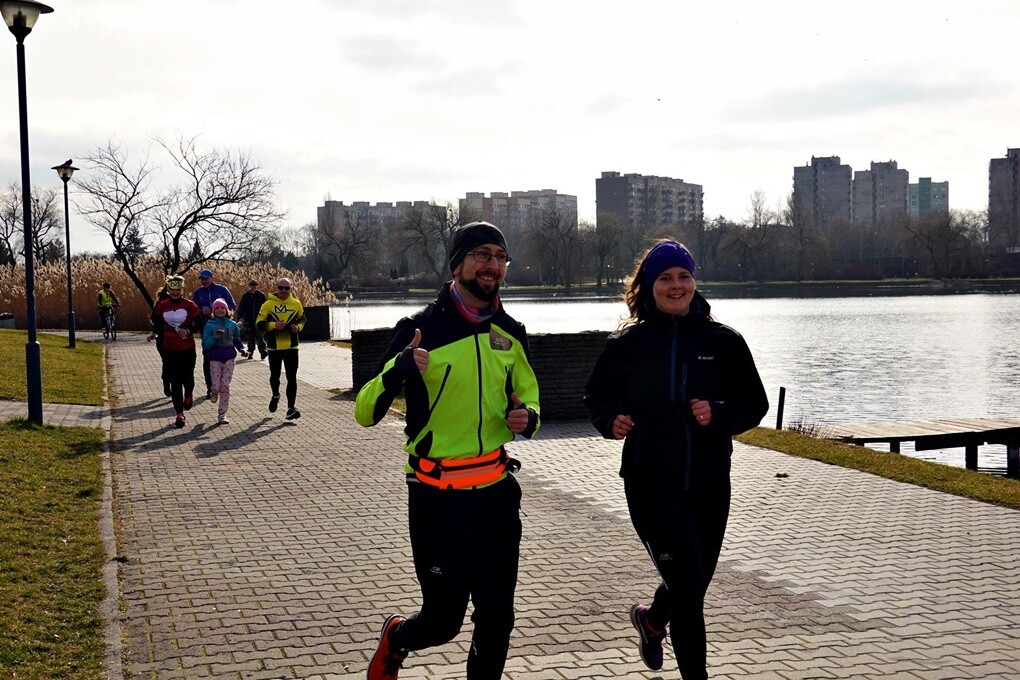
[52,554]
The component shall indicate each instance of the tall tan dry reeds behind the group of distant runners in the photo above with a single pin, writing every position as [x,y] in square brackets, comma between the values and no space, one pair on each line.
[89,275]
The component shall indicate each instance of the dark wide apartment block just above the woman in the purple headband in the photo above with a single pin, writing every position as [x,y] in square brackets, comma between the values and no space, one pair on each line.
[648,201]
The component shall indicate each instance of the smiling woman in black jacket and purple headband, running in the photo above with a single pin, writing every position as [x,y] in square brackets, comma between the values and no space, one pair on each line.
[677,386]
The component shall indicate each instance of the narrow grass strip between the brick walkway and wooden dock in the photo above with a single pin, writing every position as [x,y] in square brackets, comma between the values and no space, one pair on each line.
[958,482]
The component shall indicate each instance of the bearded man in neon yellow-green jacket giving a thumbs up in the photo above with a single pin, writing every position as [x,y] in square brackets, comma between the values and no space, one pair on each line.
[464,365]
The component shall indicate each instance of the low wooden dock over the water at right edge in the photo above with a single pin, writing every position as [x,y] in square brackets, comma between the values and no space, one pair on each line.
[929,435]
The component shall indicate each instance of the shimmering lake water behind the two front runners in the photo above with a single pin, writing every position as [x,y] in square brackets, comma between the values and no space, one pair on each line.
[842,360]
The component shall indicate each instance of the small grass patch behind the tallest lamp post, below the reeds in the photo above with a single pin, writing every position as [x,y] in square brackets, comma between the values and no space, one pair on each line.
[70,377]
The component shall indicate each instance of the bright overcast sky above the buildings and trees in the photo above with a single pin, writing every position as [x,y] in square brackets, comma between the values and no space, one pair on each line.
[399,100]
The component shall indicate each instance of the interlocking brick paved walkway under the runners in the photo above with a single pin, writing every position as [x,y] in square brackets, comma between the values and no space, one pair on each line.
[268,549]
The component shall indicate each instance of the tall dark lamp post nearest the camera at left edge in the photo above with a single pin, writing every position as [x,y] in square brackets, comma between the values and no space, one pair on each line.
[21,18]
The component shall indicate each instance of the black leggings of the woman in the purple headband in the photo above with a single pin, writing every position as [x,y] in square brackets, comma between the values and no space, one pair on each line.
[683,534]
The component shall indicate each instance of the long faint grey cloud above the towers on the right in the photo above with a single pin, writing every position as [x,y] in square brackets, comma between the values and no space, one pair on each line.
[855,96]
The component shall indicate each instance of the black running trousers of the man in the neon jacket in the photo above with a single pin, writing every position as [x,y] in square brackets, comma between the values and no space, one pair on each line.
[467,545]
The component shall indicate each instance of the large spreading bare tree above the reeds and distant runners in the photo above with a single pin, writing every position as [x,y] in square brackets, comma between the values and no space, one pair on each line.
[223,206]
